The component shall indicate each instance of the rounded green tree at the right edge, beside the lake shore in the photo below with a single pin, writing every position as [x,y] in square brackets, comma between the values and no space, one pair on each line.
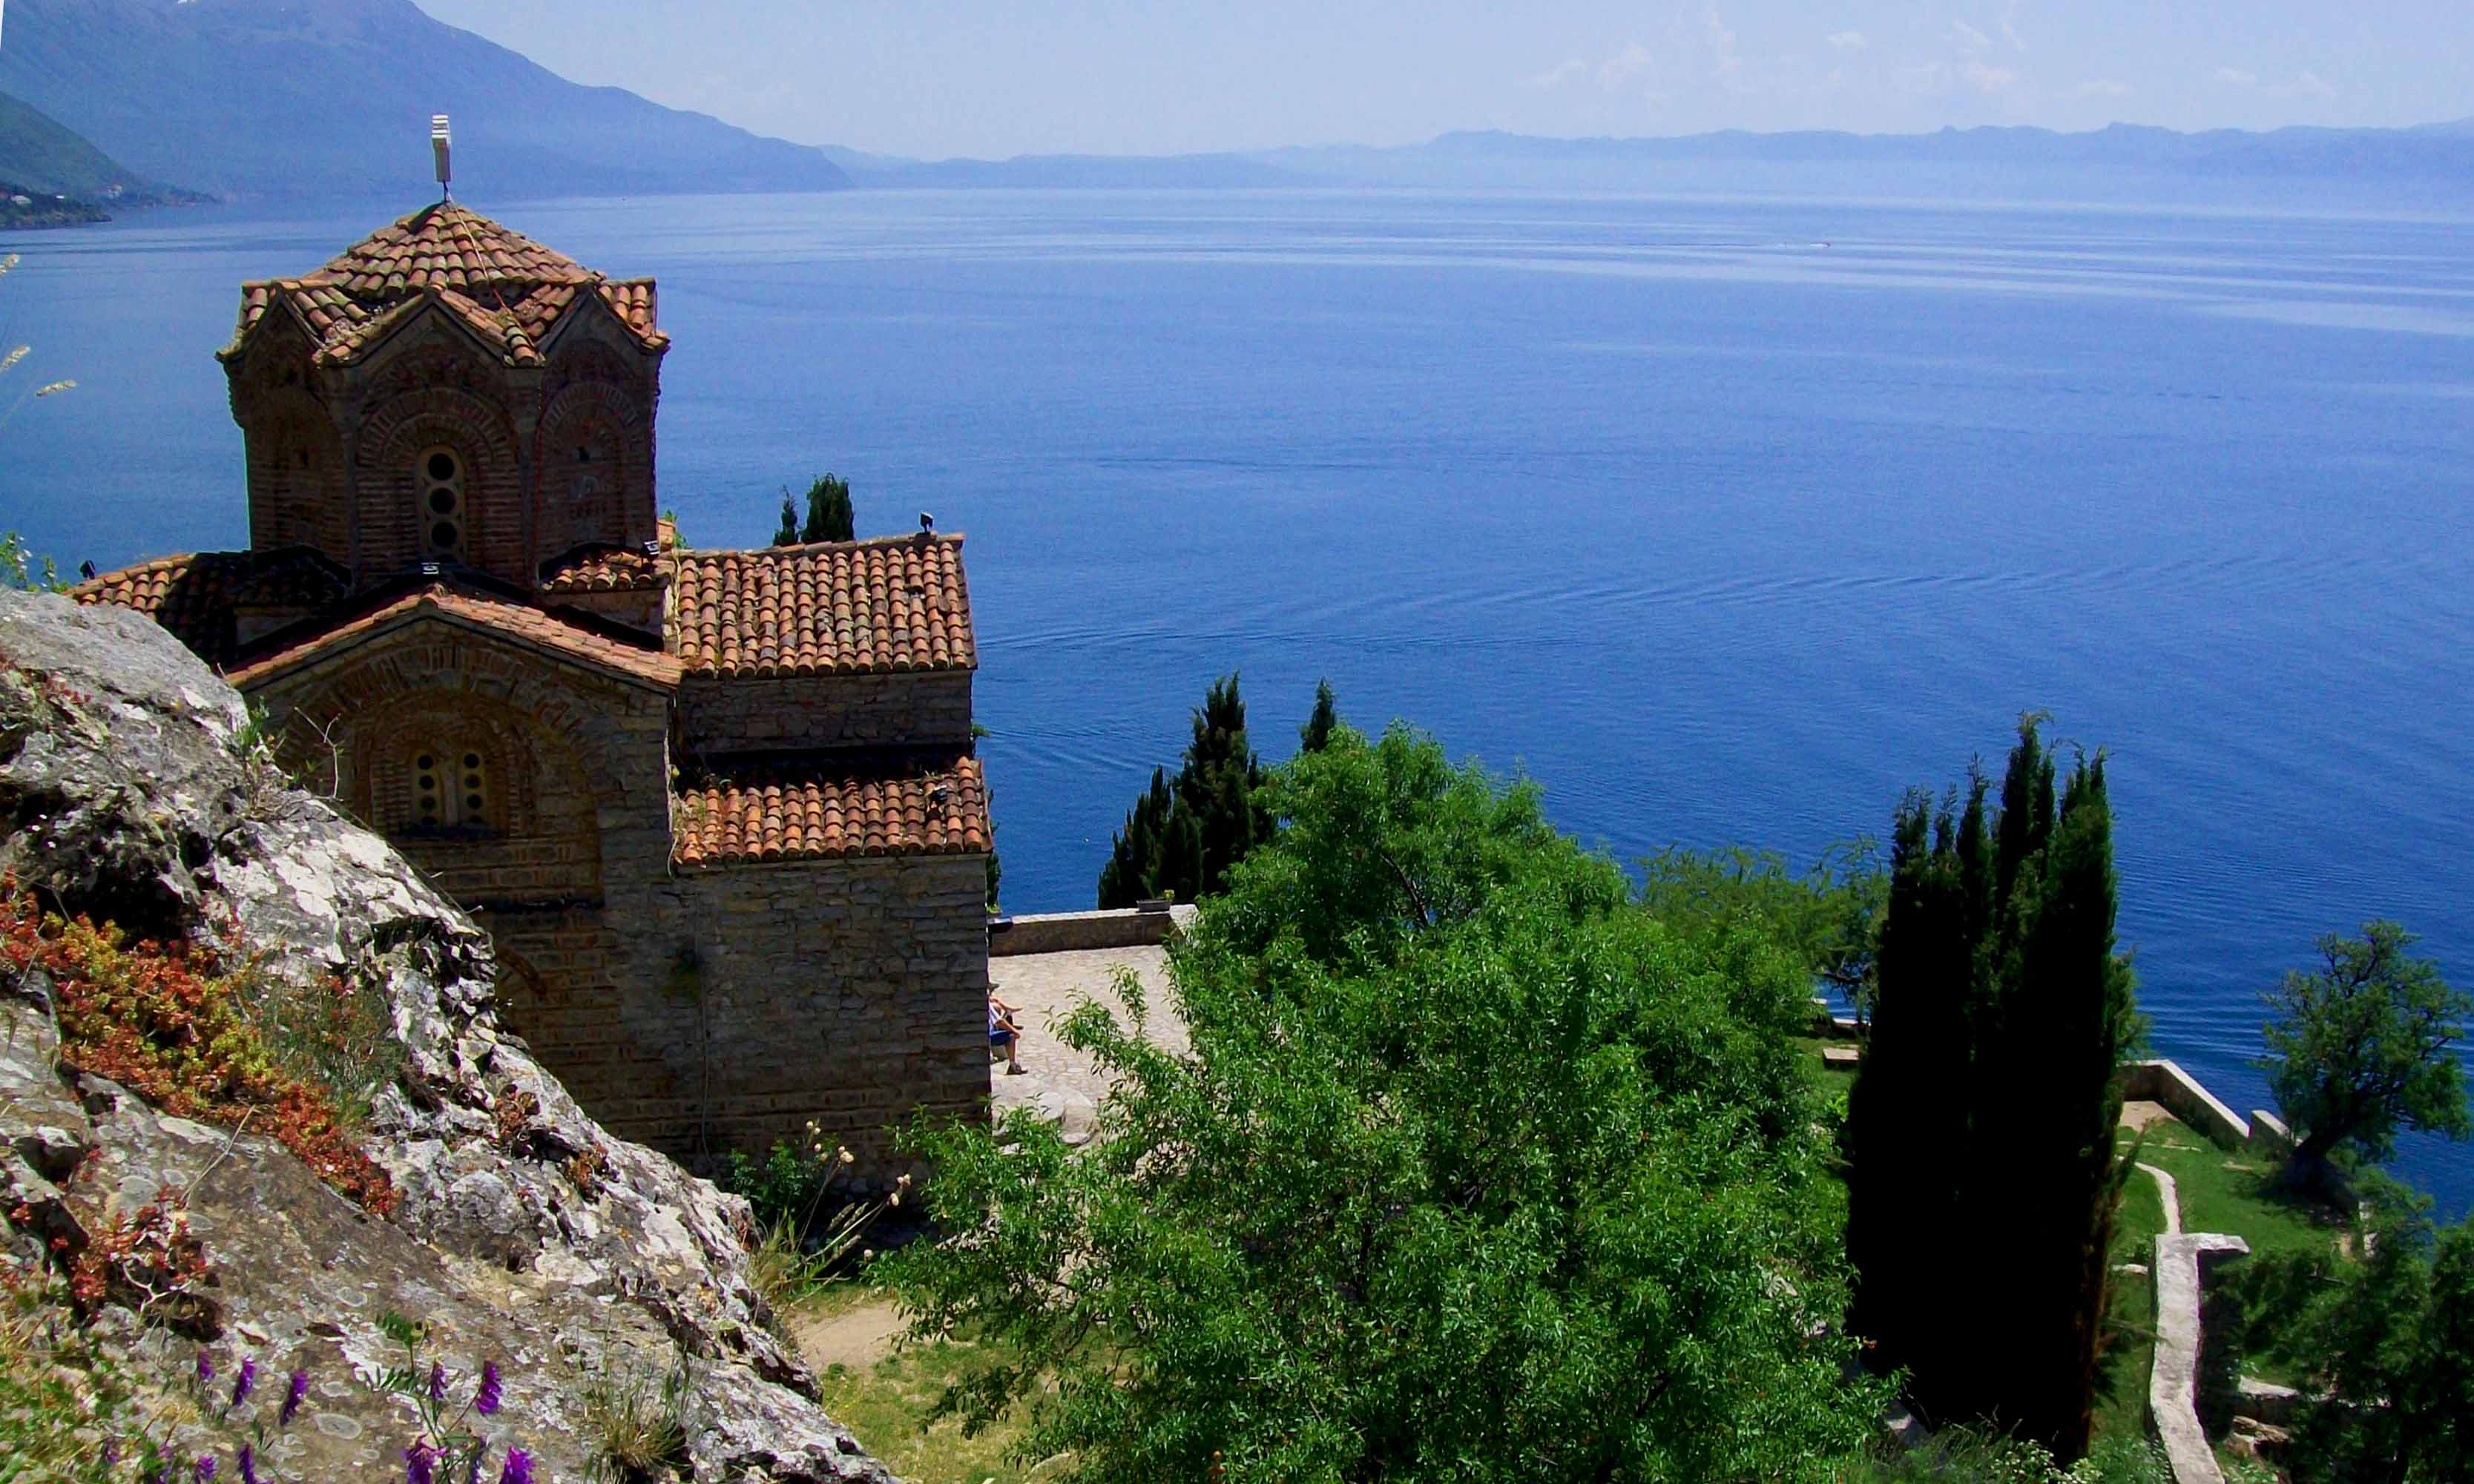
[2364,1050]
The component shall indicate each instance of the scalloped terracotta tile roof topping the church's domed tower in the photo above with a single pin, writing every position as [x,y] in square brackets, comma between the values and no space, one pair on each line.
[501,283]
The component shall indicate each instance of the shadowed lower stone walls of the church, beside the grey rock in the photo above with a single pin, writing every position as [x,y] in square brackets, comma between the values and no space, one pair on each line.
[701,1010]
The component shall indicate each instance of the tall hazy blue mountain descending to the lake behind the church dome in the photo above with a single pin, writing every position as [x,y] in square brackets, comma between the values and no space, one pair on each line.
[335,98]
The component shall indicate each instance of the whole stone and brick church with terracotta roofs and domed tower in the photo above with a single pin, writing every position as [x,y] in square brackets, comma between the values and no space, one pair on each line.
[719,810]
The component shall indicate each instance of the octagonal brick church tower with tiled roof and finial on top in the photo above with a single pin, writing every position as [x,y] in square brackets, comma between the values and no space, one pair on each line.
[449,394]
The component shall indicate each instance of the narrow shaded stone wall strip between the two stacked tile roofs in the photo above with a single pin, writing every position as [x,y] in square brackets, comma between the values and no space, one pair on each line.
[790,714]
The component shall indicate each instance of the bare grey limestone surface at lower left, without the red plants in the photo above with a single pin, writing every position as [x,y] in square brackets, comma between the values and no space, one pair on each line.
[526,1235]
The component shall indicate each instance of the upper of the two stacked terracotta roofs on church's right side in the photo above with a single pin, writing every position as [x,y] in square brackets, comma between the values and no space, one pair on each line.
[825,610]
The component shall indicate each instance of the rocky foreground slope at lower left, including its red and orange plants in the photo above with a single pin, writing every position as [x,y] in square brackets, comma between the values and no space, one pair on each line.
[513,1226]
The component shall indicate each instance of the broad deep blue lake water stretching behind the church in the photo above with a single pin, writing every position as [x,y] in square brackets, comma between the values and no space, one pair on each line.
[1723,521]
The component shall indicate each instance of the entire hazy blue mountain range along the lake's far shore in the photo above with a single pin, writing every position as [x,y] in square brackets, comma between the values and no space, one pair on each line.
[333,98]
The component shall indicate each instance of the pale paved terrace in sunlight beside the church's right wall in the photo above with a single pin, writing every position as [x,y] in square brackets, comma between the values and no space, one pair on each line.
[1048,986]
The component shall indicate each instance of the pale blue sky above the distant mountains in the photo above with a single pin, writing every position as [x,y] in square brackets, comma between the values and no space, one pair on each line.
[998,78]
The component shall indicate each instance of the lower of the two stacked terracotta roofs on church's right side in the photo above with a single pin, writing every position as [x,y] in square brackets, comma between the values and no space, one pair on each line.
[830,810]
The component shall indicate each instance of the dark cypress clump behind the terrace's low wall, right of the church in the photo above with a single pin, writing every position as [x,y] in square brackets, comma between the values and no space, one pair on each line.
[1184,835]
